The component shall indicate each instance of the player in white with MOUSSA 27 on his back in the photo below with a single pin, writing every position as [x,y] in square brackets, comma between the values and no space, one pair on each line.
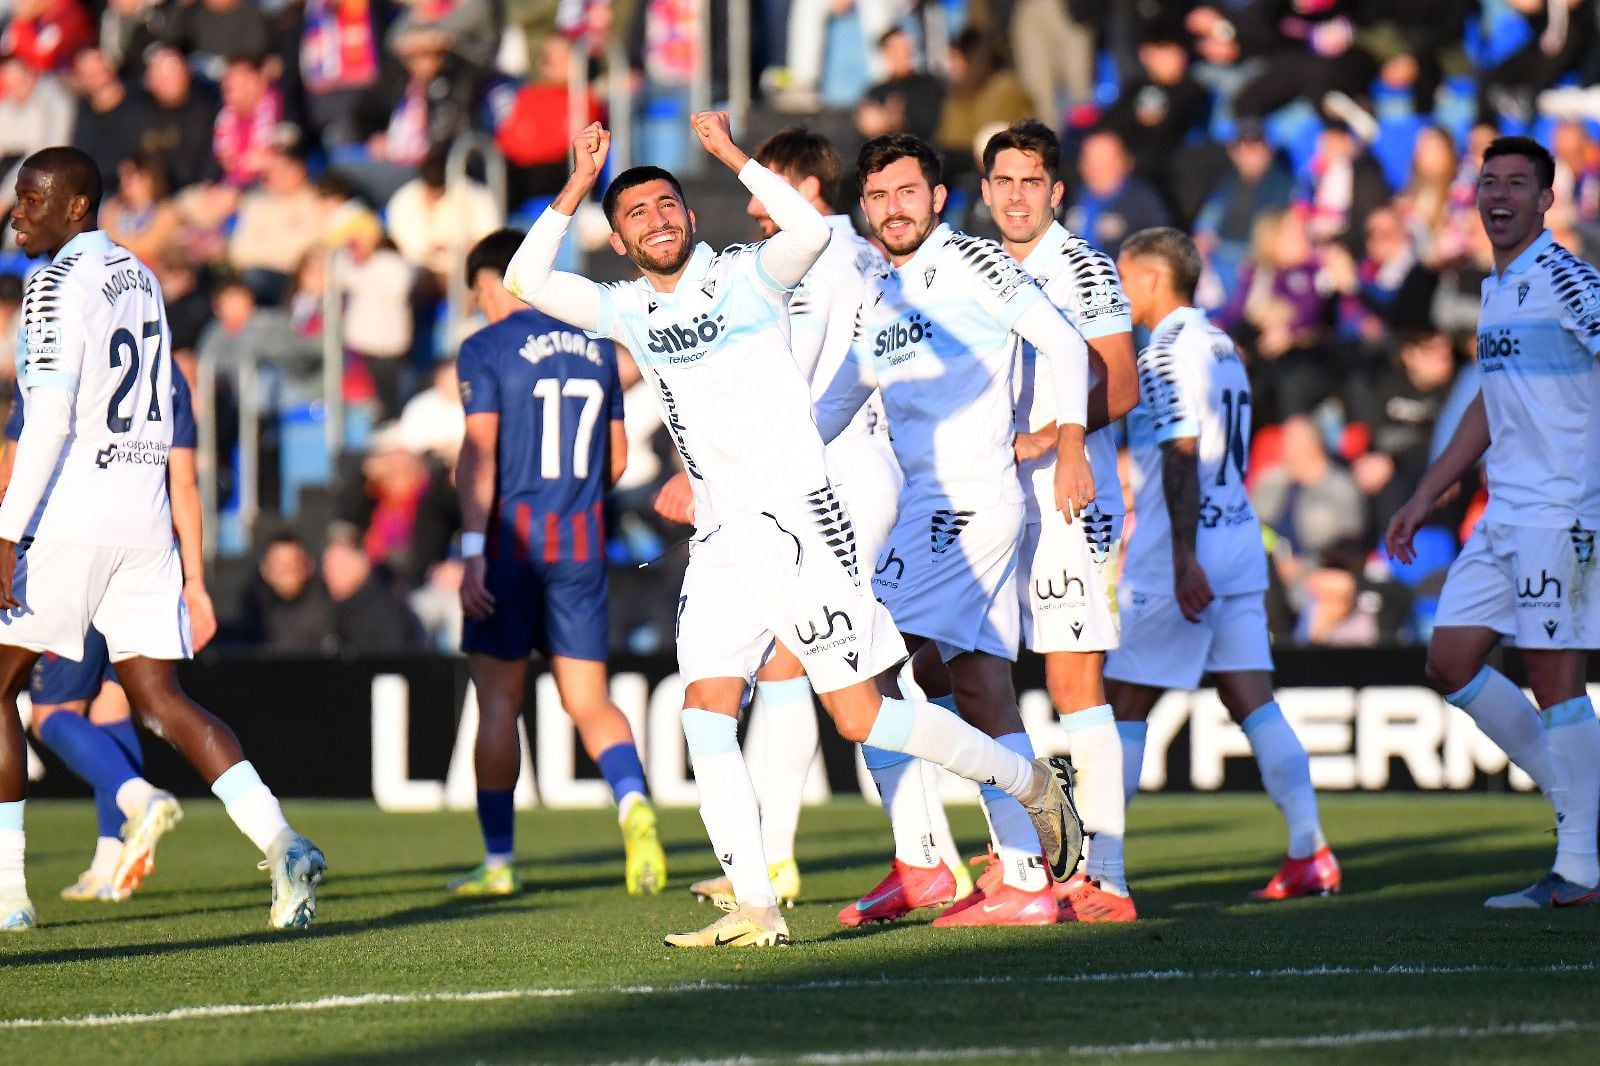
[87,529]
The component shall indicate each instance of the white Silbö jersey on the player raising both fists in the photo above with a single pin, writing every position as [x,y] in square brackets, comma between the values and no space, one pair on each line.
[732,396]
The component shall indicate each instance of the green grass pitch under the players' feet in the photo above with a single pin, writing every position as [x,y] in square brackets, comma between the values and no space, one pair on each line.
[1404,968]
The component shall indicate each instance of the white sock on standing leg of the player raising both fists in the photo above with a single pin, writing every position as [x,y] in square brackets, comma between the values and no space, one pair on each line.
[729,806]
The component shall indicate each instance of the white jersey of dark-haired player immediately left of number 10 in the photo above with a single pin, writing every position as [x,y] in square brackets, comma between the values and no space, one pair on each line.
[1082,283]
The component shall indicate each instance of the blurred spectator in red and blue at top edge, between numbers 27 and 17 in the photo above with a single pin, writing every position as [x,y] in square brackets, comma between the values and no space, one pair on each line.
[338,62]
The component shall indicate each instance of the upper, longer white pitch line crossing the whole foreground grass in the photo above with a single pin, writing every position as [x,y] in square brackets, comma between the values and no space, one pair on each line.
[402,1000]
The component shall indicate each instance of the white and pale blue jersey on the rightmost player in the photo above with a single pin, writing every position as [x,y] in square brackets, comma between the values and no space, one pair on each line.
[1538,340]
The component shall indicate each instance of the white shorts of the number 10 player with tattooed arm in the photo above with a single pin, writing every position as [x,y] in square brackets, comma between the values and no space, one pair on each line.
[1166,651]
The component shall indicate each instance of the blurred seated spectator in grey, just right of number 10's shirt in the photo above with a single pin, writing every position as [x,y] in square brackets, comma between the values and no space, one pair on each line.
[1306,502]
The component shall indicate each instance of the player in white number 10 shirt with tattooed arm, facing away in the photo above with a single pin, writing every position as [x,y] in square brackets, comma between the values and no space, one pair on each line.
[1193,595]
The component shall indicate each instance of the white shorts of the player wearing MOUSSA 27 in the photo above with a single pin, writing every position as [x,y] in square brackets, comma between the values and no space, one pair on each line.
[135,596]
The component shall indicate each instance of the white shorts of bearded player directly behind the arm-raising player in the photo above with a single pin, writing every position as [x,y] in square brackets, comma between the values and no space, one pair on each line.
[951,577]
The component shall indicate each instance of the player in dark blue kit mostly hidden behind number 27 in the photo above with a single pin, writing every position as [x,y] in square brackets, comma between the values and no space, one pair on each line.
[81,710]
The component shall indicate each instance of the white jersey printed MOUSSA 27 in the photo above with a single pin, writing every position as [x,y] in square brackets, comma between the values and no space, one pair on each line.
[95,323]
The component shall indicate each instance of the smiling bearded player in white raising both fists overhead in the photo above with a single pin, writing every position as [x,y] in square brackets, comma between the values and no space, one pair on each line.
[711,334]
